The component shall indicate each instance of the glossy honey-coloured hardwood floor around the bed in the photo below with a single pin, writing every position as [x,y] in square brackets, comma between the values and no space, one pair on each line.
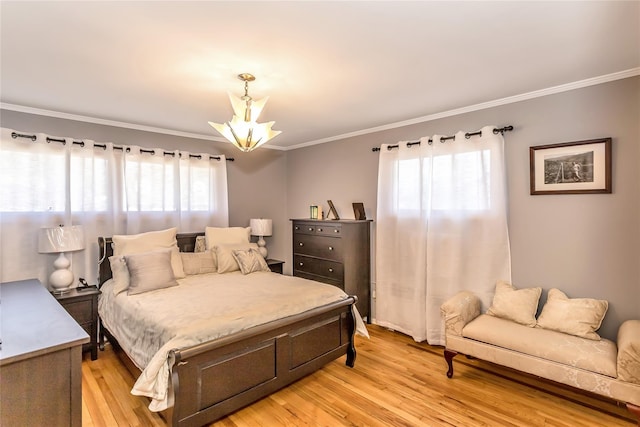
[396,382]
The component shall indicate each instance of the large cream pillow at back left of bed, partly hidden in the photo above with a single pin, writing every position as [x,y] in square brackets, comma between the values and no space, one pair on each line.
[150,241]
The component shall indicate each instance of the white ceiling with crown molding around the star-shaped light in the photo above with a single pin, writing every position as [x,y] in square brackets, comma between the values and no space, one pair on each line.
[329,68]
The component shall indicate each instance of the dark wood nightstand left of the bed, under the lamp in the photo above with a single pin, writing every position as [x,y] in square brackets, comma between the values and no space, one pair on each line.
[83,307]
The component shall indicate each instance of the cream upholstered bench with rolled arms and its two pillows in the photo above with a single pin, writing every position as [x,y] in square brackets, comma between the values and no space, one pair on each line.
[593,364]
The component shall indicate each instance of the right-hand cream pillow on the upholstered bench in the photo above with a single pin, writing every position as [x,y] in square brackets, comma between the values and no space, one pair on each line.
[581,317]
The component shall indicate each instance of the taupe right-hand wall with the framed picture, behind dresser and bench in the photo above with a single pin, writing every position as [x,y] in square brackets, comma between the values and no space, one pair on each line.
[585,245]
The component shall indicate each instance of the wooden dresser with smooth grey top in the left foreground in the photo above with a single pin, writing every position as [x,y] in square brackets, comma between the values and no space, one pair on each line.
[40,358]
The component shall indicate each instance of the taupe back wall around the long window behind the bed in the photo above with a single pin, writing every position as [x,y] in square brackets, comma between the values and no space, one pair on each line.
[256,181]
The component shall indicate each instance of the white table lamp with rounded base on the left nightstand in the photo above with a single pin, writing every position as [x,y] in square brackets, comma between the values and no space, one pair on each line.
[60,240]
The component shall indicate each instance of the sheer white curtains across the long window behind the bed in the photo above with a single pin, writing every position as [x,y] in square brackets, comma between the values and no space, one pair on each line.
[105,188]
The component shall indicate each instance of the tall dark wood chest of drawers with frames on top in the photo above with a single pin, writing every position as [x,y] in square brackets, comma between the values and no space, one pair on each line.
[335,252]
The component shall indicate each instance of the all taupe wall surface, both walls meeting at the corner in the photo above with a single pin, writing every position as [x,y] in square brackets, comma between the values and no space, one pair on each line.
[586,245]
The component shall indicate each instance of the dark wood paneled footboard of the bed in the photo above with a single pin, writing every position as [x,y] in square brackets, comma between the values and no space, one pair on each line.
[215,379]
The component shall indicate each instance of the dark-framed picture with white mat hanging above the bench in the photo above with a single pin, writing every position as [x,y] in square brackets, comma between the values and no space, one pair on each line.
[582,167]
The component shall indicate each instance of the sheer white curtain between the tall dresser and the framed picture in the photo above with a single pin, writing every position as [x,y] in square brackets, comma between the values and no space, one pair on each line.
[441,228]
